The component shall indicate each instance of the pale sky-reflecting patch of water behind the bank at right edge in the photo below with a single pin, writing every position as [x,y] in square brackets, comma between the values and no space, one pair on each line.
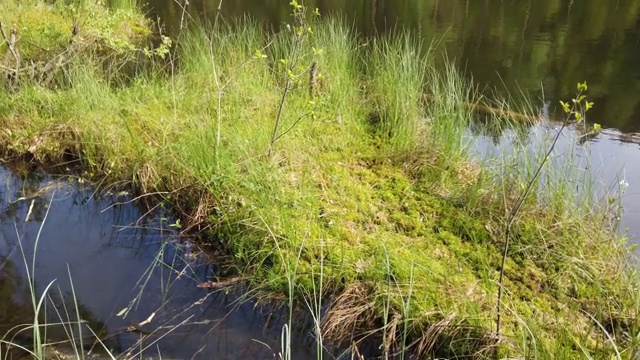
[599,167]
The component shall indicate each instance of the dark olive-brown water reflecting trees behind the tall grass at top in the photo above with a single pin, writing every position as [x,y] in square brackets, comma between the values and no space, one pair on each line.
[523,44]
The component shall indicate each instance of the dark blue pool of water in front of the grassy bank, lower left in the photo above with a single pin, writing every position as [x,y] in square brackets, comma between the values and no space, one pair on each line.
[111,254]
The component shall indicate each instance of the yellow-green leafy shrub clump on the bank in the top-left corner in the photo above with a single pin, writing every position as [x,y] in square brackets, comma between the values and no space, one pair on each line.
[52,34]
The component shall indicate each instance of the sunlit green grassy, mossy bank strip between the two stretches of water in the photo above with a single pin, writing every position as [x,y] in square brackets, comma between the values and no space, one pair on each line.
[368,199]
